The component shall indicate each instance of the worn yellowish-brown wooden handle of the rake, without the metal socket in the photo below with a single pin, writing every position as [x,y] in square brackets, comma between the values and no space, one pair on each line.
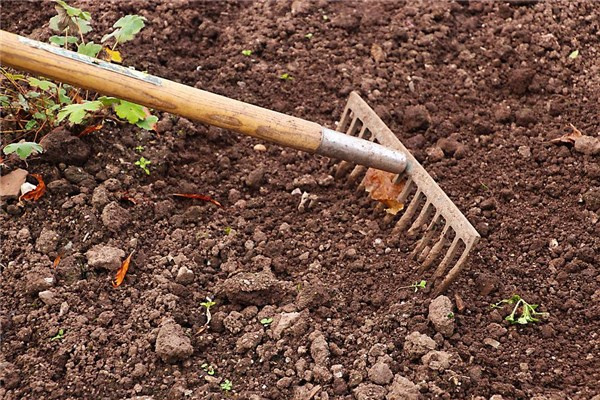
[172,97]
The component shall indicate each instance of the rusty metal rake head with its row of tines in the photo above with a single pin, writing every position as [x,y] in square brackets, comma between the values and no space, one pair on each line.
[447,236]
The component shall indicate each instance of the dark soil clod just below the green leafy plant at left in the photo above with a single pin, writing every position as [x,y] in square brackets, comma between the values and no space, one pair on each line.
[61,146]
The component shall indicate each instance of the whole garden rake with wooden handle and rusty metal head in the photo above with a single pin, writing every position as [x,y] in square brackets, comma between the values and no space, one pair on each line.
[367,142]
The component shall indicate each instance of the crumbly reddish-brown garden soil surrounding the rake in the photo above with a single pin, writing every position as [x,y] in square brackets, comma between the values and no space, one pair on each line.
[476,90]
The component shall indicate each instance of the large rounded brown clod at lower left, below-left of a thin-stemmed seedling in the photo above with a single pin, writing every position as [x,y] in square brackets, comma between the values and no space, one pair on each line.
[172,344]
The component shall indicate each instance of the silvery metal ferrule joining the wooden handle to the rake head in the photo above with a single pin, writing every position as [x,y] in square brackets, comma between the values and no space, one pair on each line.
[360,151]
